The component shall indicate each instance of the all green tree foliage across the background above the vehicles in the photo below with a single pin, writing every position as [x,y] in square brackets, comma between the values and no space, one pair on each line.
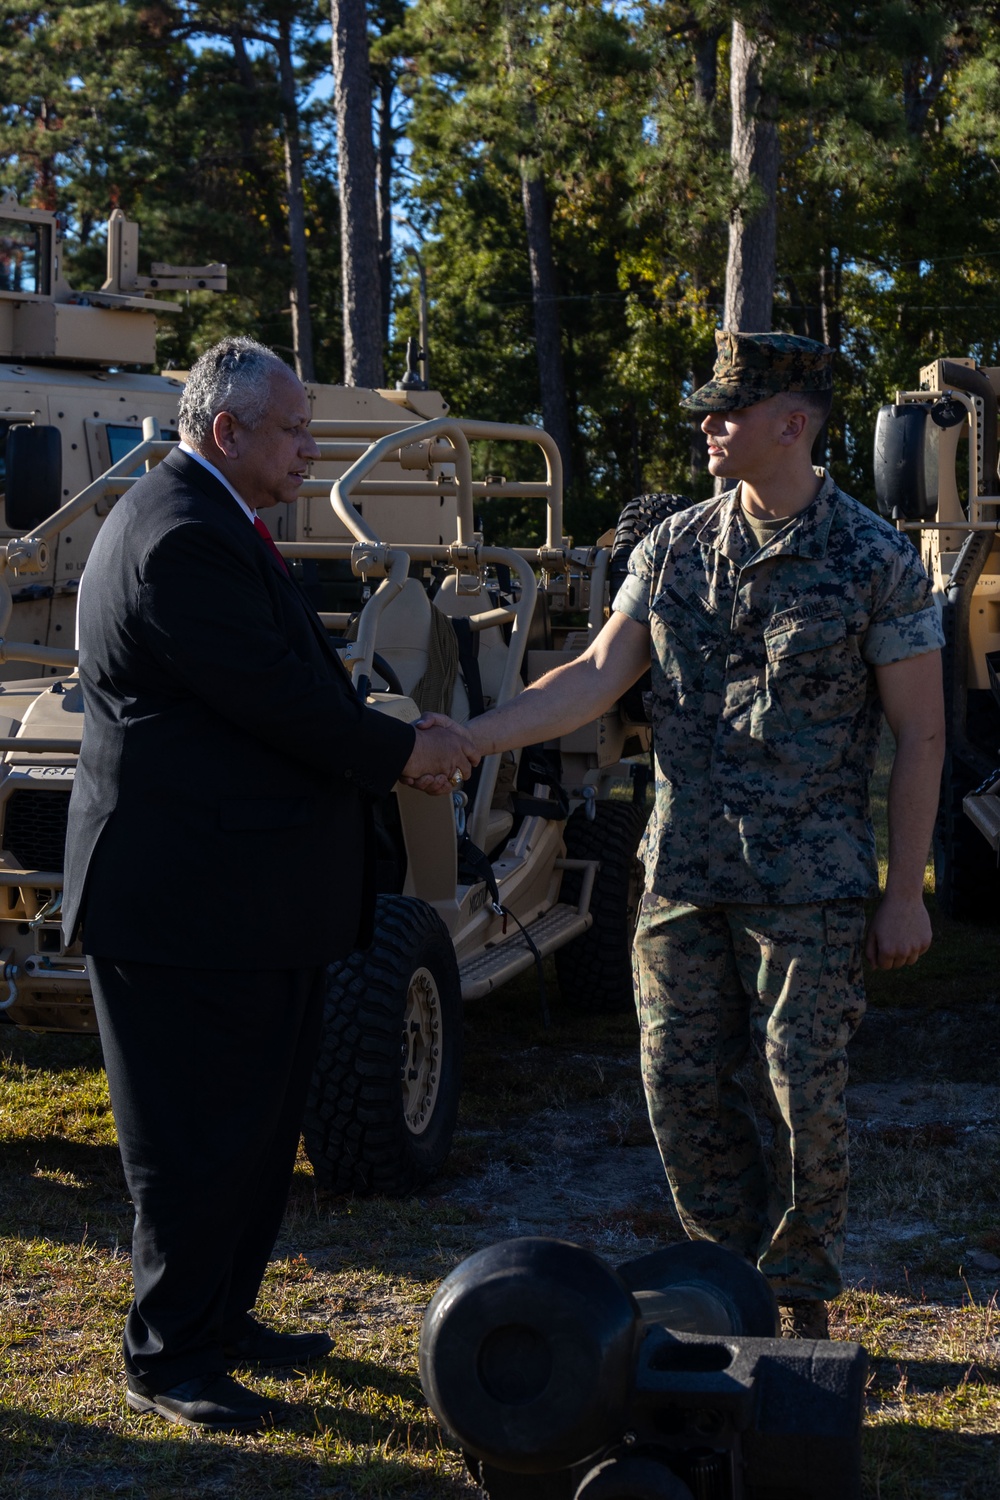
[890,131]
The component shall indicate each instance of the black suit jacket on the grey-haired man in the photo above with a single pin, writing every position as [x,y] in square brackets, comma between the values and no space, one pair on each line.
[220,811]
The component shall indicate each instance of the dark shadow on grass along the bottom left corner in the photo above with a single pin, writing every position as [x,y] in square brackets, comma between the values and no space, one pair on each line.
[44,1459]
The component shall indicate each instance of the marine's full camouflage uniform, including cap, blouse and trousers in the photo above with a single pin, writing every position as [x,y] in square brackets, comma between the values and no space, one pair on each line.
[761,850]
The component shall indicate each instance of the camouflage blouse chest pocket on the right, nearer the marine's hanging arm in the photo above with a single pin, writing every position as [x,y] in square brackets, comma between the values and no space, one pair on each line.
[813,671]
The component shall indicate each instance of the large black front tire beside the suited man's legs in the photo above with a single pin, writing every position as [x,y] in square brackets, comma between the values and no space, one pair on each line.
[379,1121]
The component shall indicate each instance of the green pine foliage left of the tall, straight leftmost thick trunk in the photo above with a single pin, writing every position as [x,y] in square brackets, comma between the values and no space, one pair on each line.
[113,106]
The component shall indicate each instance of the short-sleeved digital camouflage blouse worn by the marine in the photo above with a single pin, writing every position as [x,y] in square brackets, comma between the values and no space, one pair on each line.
[765,707]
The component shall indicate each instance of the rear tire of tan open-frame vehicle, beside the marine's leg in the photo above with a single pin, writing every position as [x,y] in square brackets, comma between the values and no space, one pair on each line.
[594,971]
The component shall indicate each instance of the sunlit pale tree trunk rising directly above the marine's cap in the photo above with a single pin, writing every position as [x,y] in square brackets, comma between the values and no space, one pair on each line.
[750,269]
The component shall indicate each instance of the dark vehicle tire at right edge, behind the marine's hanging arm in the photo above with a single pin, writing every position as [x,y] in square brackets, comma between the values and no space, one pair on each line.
[966,877]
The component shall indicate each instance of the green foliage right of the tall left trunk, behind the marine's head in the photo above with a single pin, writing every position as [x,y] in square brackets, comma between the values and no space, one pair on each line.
[887,115]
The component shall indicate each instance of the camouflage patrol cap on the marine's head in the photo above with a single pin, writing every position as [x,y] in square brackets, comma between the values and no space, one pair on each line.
[753,367]
